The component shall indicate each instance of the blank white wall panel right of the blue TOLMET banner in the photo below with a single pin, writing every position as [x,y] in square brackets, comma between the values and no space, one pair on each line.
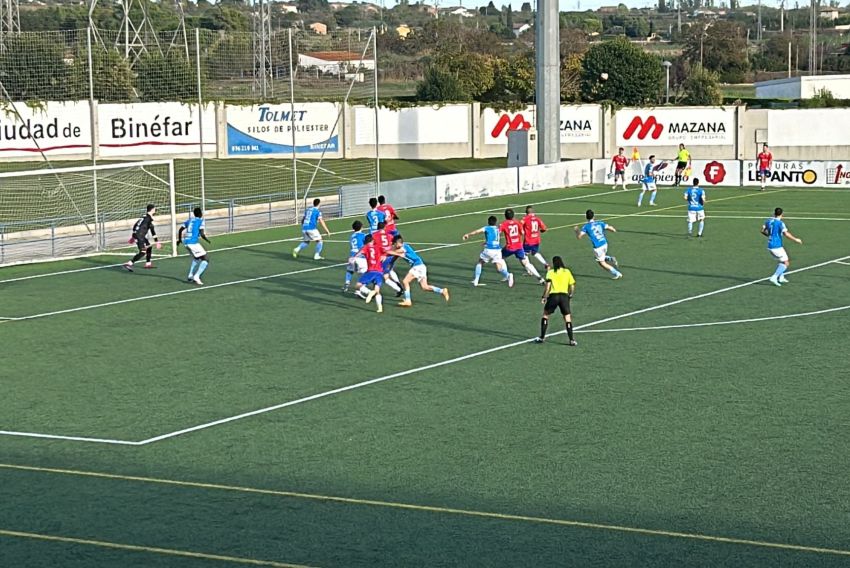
[416,125]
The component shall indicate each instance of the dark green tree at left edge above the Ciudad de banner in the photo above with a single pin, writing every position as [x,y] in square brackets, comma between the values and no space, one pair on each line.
[34,68]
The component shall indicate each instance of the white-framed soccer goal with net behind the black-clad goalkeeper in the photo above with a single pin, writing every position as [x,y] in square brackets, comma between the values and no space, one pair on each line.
[52,213]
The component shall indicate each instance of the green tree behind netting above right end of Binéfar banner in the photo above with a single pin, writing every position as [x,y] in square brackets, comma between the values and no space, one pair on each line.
[169,77]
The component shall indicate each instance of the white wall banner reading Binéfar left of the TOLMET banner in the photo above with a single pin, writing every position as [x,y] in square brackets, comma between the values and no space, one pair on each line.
[154,128]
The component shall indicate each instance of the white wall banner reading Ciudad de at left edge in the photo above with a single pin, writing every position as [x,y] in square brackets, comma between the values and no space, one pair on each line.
[57,129]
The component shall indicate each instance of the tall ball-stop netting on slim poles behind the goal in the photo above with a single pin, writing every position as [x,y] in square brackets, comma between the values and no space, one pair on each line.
[263,112]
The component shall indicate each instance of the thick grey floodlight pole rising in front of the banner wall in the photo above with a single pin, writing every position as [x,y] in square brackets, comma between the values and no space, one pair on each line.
[548,82]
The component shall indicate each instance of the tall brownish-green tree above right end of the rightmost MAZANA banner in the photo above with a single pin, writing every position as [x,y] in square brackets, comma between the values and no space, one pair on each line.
[719,47]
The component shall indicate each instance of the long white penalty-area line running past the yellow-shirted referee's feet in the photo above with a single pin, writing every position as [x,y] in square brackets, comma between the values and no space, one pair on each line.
[457,359]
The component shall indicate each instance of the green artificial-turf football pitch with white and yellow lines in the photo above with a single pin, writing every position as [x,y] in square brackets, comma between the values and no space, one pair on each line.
[267,419]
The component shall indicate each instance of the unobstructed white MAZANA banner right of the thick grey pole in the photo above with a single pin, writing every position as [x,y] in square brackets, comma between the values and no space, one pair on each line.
[708,126]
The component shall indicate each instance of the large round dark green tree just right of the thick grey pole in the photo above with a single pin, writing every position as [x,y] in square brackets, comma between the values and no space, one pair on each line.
[633,76]
